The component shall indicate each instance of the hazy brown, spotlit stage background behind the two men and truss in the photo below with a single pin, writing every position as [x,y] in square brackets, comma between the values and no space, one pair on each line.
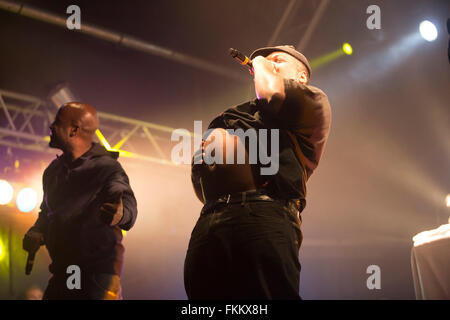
[383,177]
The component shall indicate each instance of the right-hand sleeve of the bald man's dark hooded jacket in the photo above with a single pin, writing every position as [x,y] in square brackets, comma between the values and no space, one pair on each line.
[118,182]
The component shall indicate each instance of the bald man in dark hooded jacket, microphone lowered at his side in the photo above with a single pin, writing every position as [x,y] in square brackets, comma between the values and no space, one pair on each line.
[87,203]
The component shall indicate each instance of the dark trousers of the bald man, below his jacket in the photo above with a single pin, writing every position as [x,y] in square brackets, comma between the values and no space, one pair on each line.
[94,286]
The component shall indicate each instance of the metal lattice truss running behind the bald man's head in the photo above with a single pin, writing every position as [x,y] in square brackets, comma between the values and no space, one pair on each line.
[24,122]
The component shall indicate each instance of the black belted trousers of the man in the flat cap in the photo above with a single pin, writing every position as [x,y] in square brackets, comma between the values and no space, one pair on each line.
[248,251]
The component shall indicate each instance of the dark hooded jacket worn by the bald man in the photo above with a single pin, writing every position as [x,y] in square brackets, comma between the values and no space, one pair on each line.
[70,212]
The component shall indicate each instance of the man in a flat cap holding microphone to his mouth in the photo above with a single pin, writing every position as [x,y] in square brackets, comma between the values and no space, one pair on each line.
[246,242]
